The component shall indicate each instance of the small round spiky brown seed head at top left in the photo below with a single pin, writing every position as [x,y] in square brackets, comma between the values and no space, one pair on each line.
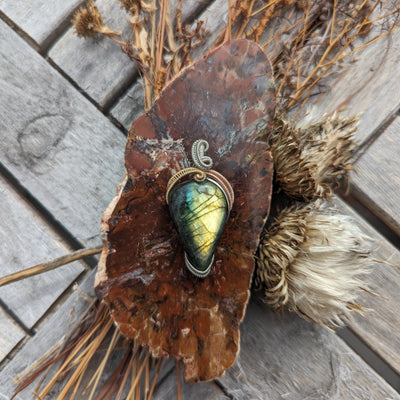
[87,20]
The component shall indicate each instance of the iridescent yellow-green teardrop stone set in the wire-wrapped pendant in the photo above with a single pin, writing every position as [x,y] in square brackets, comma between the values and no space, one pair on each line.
[200,212]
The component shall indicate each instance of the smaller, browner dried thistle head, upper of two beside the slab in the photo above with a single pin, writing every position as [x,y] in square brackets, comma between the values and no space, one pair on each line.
[310,160]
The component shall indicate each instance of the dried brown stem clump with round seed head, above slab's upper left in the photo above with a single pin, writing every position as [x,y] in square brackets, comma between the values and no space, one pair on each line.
[160,46]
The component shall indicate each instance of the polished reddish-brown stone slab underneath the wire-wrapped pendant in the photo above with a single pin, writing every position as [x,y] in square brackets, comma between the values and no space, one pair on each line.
[228,99]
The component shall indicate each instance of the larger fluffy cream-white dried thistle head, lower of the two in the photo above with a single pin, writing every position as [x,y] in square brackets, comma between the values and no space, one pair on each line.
[311,260]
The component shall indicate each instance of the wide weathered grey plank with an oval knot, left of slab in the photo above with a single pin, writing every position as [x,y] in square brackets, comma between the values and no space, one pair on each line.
[54,141]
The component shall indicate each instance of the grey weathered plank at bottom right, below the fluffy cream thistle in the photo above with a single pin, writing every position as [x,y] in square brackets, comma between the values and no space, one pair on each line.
[284,357]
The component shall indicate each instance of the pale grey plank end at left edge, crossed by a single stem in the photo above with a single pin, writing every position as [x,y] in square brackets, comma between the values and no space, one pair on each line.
[25,241]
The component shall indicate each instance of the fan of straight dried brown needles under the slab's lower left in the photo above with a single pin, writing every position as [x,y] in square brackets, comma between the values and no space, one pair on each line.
[78,351]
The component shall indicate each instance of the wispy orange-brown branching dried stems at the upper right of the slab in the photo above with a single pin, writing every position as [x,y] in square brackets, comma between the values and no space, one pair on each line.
[308,40]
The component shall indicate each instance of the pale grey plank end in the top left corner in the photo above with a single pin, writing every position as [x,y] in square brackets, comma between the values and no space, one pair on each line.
[42,20]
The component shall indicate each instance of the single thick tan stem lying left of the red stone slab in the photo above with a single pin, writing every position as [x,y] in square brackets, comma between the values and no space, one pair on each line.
[49,265]
